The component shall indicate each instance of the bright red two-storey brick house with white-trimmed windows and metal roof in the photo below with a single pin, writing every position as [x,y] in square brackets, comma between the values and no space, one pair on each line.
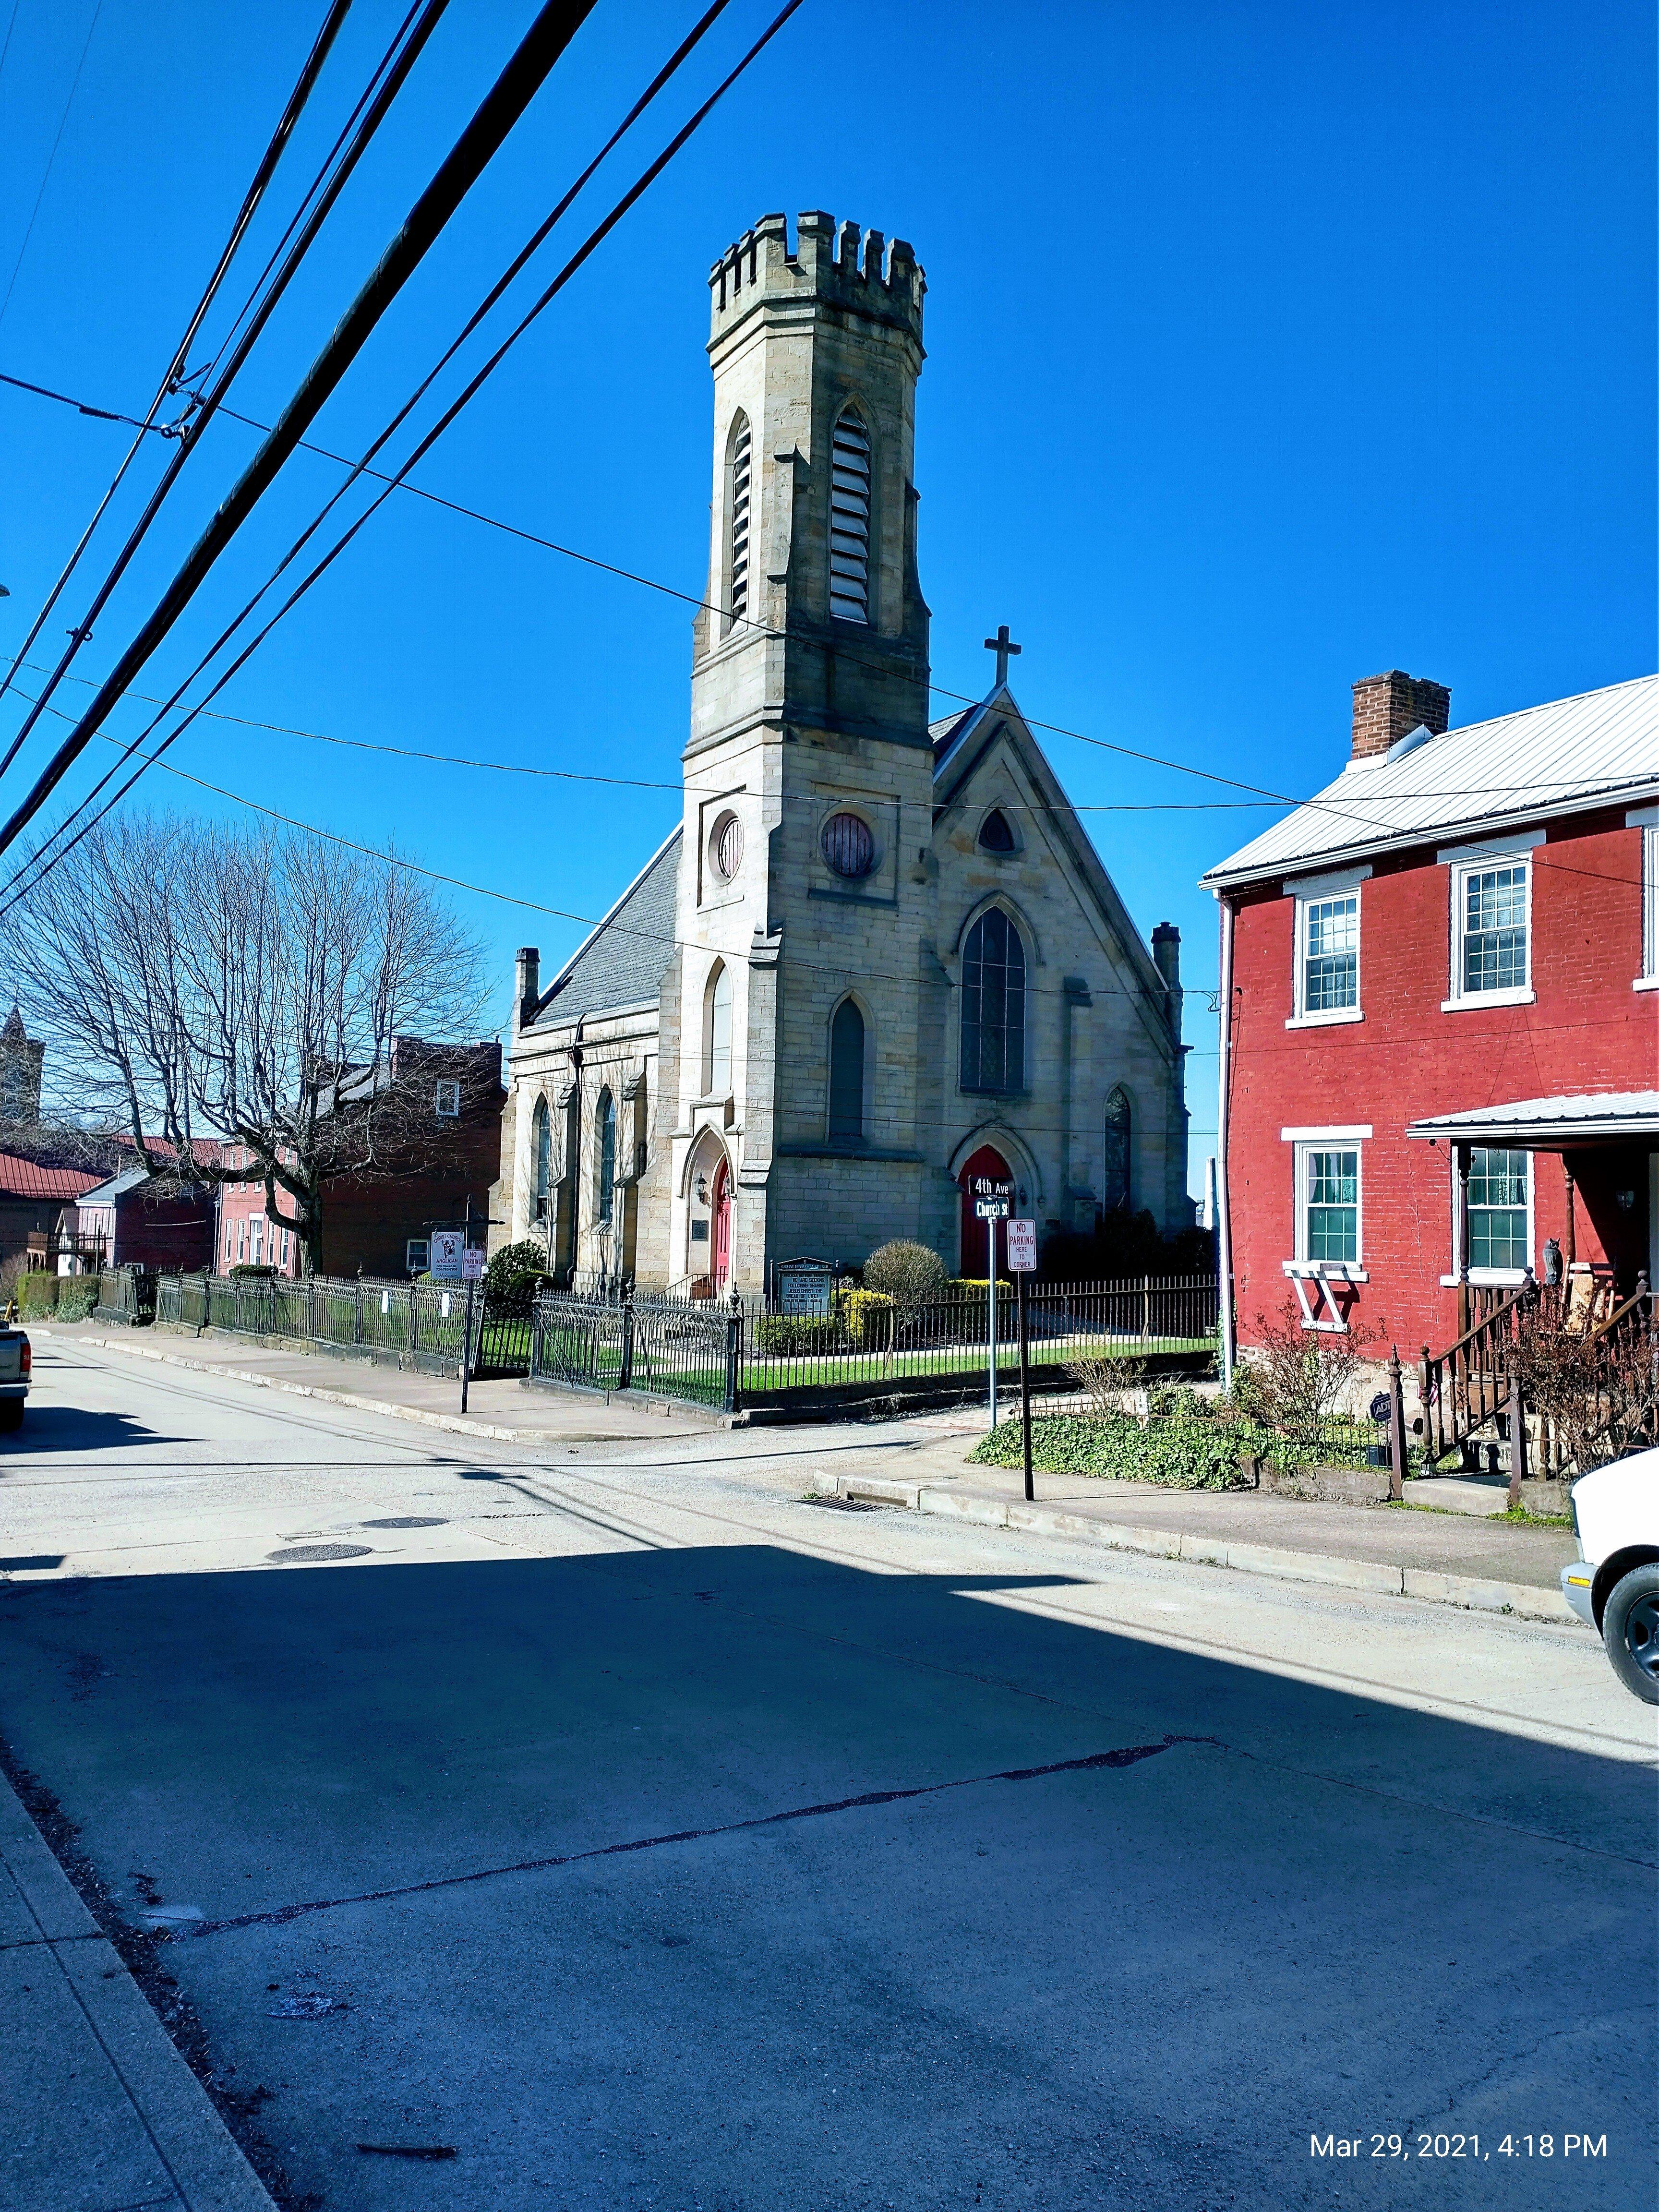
[1441,1016]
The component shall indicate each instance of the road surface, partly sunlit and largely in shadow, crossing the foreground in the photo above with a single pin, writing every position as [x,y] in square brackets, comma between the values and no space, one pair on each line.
[654,1837]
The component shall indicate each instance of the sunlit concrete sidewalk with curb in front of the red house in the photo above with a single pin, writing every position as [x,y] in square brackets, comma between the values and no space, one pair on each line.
[1457,1558]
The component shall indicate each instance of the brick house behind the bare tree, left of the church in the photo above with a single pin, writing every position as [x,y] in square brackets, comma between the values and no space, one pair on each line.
[382,1224]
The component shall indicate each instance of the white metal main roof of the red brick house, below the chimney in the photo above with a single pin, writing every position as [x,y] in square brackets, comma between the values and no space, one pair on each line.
[1547,760]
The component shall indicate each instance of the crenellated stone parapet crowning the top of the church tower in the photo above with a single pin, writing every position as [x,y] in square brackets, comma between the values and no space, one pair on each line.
[835,264]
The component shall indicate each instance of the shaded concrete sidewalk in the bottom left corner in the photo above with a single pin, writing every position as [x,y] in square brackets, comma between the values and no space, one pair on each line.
[98,2109]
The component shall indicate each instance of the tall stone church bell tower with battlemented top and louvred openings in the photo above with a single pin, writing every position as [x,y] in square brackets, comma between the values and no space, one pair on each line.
[808,766]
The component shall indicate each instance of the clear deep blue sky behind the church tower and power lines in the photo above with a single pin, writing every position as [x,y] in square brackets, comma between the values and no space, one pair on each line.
[1269,348]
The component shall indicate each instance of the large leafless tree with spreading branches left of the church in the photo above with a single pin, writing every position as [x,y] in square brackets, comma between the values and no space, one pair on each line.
[278,994]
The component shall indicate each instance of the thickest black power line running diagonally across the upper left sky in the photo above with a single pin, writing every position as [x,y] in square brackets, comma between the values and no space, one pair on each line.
[519,83]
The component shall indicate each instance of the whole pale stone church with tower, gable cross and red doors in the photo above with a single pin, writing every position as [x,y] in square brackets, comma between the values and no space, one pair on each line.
[877,957]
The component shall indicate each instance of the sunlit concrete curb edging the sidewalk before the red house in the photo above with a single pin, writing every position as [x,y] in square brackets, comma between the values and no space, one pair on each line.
[1375,1576]
